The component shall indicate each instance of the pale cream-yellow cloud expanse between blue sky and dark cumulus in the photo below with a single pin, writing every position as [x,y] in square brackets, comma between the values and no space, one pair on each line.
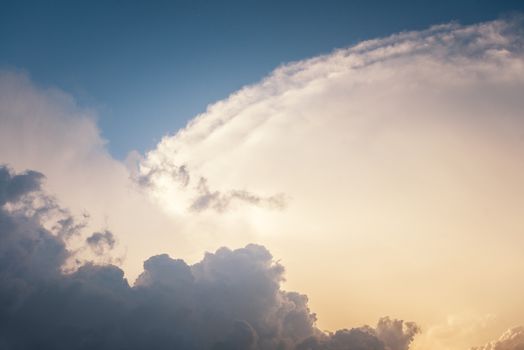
[400,162]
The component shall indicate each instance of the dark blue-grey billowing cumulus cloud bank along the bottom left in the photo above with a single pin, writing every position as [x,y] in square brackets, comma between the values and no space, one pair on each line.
[231,299]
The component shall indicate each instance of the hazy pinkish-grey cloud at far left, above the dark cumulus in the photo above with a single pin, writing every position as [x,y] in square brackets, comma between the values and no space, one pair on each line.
[45,129]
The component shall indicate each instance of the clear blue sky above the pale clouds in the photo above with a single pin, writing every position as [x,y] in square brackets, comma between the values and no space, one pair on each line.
[147,67]
